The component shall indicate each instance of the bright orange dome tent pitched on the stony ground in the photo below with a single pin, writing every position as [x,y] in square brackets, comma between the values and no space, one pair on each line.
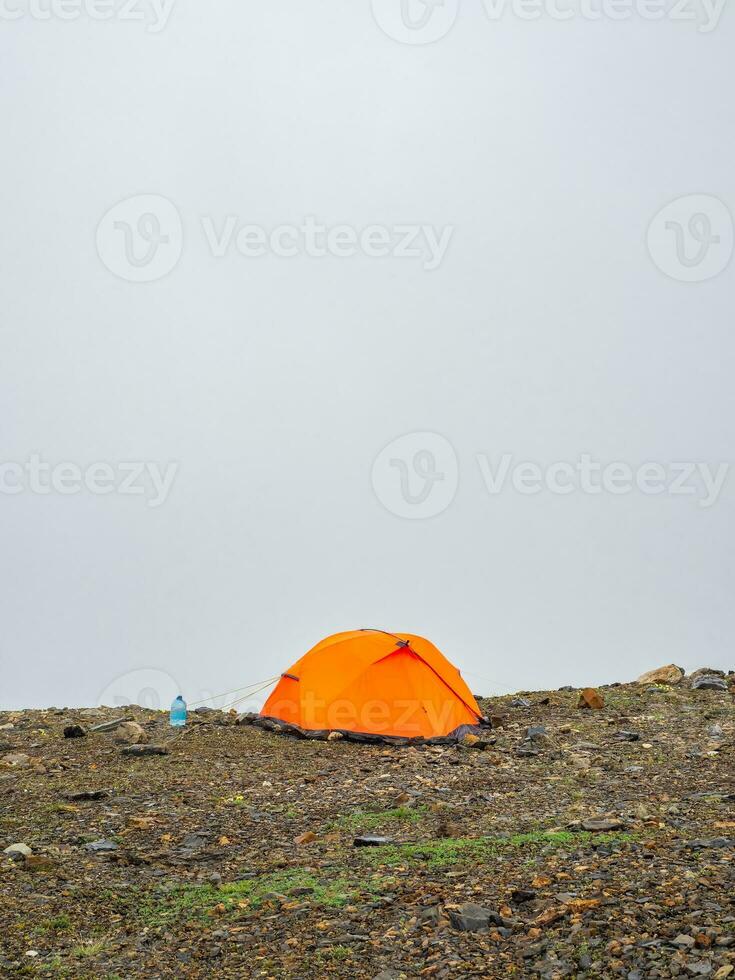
[373,683]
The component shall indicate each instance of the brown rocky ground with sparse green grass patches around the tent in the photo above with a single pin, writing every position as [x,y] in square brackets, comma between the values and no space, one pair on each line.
[571,842]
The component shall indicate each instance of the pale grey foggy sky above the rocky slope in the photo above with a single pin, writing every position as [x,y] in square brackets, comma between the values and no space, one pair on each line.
[547,332]
